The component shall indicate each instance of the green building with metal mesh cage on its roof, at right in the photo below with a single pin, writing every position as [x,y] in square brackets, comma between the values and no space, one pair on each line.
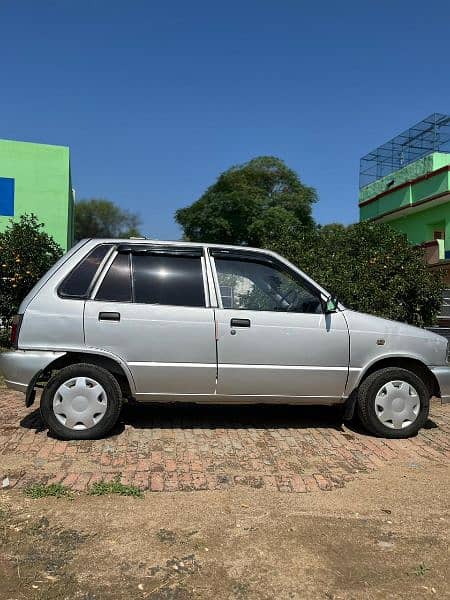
[406,182]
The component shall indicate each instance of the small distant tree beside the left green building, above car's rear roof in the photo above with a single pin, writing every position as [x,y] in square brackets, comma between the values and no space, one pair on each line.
[100,218]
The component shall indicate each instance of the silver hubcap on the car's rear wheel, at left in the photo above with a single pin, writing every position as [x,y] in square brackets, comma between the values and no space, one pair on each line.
[80,403]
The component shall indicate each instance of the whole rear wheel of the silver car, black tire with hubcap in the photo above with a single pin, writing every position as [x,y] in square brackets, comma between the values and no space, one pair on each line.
[81,402]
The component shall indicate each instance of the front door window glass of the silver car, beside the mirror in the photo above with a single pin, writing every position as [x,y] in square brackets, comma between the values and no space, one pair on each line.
[256,285]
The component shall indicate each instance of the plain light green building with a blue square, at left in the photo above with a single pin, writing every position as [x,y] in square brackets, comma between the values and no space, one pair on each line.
[35,178]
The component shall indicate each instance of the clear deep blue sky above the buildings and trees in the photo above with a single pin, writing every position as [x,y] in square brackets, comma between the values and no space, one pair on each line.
[155,99]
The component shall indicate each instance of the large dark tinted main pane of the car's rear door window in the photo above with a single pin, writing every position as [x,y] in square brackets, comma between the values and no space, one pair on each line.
[165,279]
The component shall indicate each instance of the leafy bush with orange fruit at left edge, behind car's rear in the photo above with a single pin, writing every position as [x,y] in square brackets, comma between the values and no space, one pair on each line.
[26,253]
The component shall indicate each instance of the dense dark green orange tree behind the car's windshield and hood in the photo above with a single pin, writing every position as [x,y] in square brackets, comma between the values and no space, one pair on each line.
[370,267]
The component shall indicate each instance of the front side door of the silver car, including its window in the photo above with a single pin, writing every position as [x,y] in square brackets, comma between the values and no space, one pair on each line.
[273,336]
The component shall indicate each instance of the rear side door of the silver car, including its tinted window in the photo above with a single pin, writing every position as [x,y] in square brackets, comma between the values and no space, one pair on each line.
[152,310]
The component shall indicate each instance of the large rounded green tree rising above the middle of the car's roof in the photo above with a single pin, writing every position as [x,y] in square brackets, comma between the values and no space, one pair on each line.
[250,203]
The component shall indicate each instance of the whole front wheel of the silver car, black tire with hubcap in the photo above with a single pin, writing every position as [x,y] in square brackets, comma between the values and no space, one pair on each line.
[381,396]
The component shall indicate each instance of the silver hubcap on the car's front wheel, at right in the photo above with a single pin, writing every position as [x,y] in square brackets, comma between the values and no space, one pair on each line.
[397,404]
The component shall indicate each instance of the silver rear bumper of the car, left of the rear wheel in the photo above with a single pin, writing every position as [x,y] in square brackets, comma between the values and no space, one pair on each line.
[20,366]
